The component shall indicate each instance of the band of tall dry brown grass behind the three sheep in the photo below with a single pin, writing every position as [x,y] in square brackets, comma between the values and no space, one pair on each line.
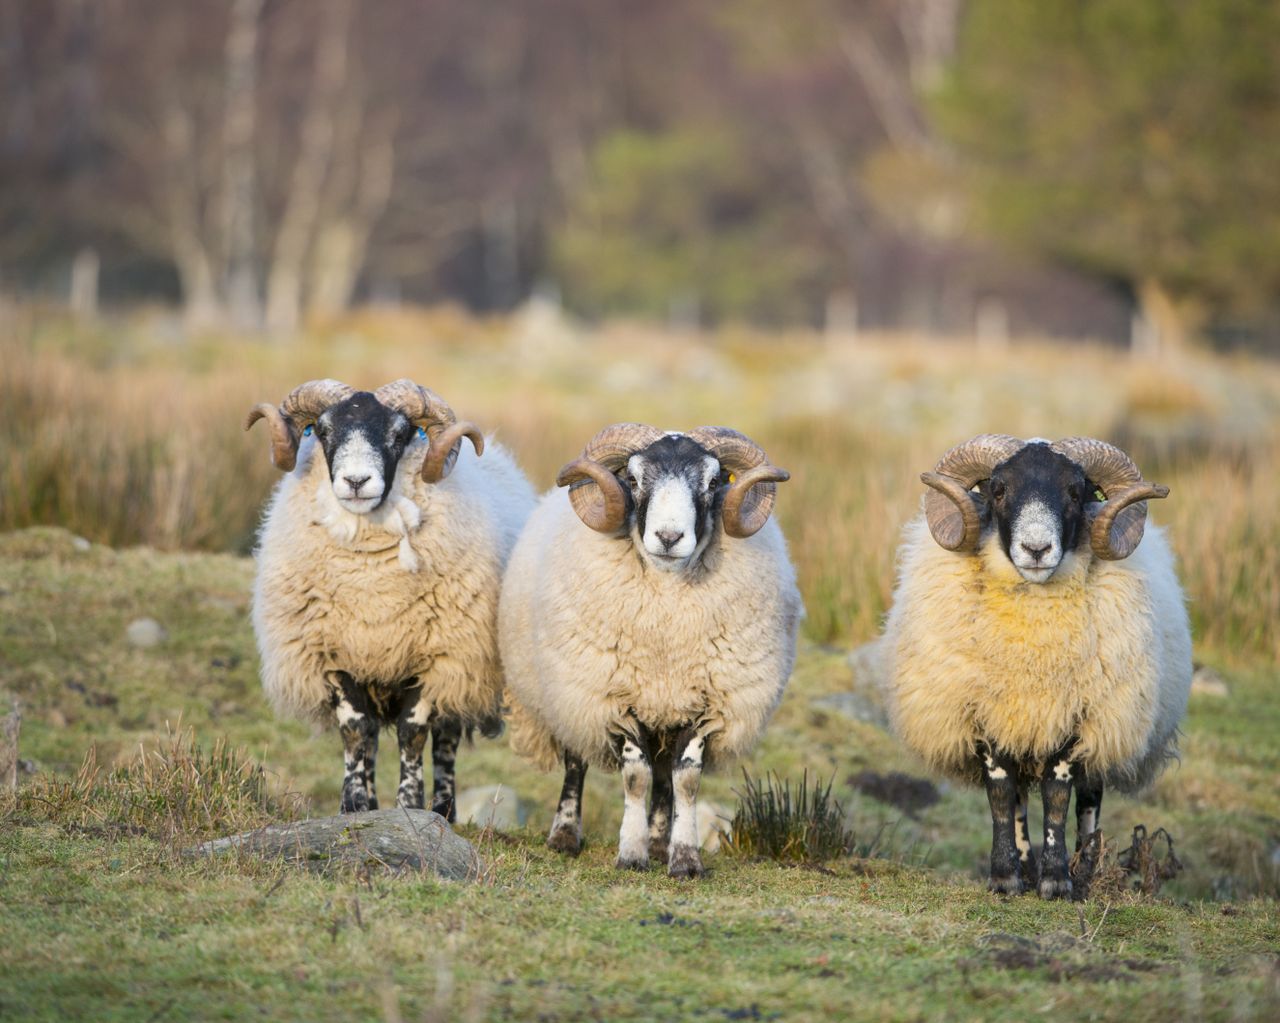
[131,439]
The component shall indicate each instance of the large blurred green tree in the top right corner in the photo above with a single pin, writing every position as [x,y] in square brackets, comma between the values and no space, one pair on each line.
[1139,139]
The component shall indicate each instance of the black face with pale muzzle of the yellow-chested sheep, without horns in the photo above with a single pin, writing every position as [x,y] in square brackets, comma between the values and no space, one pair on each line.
[1039,501]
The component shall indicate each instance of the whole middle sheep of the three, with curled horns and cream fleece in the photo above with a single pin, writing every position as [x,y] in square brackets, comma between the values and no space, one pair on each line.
[650,623]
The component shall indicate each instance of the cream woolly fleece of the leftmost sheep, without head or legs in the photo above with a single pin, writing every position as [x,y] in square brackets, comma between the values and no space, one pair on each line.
[410,591]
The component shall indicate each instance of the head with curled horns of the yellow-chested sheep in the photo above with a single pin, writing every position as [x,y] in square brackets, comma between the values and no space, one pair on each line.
[1043,499]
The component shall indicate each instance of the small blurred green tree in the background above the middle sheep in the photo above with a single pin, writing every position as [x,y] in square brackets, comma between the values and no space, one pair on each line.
[680,225]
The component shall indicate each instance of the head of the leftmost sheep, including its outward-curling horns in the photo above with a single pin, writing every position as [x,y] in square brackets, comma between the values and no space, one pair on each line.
[364,435]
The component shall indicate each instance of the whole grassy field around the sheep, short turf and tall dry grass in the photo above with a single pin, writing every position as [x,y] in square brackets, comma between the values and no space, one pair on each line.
[132,441]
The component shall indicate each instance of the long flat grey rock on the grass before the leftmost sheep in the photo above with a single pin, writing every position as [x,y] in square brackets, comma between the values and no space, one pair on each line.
[392,839]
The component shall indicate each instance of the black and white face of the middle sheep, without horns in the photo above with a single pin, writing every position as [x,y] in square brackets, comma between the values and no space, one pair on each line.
[674,487]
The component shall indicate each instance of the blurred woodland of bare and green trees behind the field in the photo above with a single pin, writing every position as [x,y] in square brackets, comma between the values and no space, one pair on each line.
[963,167]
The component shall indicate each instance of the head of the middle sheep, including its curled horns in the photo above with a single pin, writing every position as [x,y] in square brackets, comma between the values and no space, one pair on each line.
[668,490]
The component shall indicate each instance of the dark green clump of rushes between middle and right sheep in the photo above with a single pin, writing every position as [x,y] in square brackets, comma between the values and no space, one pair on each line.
[802,826]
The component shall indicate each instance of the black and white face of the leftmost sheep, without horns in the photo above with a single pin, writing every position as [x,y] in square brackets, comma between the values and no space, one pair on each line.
[363,442]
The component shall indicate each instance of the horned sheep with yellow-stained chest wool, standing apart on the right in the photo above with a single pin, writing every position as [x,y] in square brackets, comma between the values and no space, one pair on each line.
[1039,637]
